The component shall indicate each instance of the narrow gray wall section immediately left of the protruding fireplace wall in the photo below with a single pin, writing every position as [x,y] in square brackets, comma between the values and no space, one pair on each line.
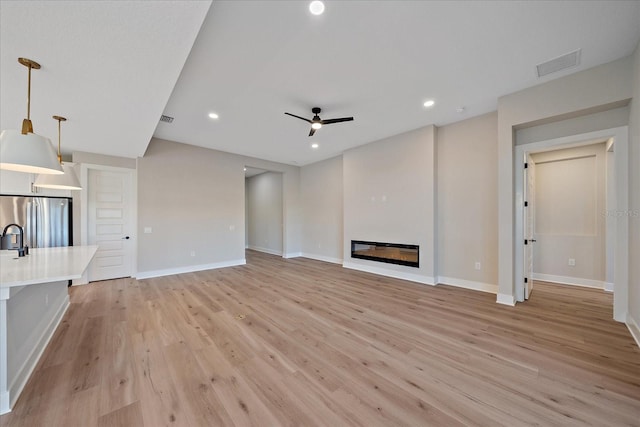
[321,194]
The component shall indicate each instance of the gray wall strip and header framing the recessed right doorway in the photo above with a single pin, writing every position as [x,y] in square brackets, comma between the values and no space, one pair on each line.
[594,90]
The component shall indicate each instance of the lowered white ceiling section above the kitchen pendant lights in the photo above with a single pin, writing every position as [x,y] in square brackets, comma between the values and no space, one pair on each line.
[107,66]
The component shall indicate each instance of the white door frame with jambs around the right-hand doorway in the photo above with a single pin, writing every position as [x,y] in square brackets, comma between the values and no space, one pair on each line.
[616,202]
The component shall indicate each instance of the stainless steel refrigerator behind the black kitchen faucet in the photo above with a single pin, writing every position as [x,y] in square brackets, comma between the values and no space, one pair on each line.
[47,221]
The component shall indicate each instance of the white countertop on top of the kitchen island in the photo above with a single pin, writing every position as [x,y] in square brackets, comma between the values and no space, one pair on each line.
[44,265]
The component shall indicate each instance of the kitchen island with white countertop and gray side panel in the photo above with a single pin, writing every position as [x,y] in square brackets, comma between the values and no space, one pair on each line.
[33,299]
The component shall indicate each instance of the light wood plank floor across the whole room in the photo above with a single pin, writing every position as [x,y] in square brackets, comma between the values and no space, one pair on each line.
[301,342]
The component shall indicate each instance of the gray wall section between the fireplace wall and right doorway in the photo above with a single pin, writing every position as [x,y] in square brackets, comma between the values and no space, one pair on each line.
[468,202]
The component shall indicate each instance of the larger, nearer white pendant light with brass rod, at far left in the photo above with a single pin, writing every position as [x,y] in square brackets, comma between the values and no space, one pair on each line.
[25,151]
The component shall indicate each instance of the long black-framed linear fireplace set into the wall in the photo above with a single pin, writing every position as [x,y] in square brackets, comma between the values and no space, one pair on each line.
[393,253]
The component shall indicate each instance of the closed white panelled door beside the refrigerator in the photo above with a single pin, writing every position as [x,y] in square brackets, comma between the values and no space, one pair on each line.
[110,223]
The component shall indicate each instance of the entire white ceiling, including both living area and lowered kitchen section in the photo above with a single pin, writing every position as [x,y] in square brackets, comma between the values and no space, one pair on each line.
[110,67]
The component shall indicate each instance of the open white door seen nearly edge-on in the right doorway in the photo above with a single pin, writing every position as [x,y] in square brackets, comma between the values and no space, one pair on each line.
[529,223]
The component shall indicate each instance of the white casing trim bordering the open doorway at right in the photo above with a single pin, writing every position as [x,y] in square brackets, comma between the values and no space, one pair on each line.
[621,250]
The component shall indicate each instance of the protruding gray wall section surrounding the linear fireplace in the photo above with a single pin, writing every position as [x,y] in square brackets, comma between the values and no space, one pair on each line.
[389,196]
